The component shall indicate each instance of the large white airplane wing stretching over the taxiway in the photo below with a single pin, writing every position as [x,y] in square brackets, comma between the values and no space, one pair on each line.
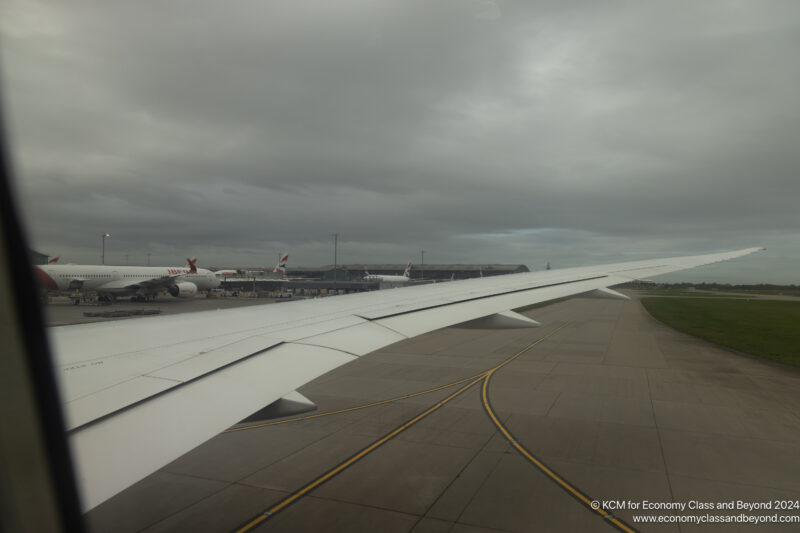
[140,393]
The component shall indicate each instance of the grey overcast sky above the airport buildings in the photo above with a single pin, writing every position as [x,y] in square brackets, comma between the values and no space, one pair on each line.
[480,131]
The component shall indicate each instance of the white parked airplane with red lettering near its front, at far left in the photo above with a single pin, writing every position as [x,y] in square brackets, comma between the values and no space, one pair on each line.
[141,283]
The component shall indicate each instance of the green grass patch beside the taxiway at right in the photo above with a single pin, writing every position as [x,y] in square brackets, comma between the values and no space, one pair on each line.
[766,328]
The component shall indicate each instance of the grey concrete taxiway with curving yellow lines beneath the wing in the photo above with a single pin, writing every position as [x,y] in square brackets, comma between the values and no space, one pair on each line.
[511,430]
